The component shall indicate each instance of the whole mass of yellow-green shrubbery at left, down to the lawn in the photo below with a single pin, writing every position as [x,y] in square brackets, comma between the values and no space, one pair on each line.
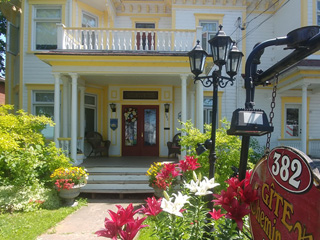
[26,162]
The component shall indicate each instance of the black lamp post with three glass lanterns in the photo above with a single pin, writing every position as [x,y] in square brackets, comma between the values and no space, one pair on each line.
[224,52]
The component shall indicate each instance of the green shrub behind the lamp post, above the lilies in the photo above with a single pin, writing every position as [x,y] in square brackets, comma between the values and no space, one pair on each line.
[228,149]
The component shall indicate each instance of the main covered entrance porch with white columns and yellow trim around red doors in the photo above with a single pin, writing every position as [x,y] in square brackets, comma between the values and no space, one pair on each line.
[108,77]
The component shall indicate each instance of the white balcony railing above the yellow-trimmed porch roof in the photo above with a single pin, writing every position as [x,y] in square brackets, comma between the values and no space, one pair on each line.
[125,39]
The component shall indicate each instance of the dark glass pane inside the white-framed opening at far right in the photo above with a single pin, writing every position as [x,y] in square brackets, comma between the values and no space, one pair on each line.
[292,122]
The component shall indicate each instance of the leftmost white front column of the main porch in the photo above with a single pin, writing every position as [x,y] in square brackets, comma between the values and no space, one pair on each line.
[56,108]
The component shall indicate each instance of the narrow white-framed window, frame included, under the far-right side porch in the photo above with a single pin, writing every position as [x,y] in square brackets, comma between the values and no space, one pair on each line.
[293,120]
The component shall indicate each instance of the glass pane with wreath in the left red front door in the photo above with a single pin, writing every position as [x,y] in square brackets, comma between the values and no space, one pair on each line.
[130,128]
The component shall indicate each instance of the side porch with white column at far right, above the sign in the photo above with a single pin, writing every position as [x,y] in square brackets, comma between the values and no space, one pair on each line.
[299,88]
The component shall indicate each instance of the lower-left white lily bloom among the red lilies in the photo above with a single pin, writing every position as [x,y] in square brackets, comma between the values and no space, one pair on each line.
[176,206]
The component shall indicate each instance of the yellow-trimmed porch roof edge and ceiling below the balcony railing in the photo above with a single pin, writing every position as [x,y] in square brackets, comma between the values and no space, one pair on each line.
[107,68]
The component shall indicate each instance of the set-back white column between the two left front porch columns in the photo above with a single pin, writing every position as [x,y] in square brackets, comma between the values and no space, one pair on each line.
[65,108]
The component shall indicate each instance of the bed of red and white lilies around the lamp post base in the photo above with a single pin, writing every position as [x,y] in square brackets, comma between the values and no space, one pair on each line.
[184,214]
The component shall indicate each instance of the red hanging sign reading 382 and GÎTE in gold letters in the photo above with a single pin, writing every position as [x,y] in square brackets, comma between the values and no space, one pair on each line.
[289,193]
